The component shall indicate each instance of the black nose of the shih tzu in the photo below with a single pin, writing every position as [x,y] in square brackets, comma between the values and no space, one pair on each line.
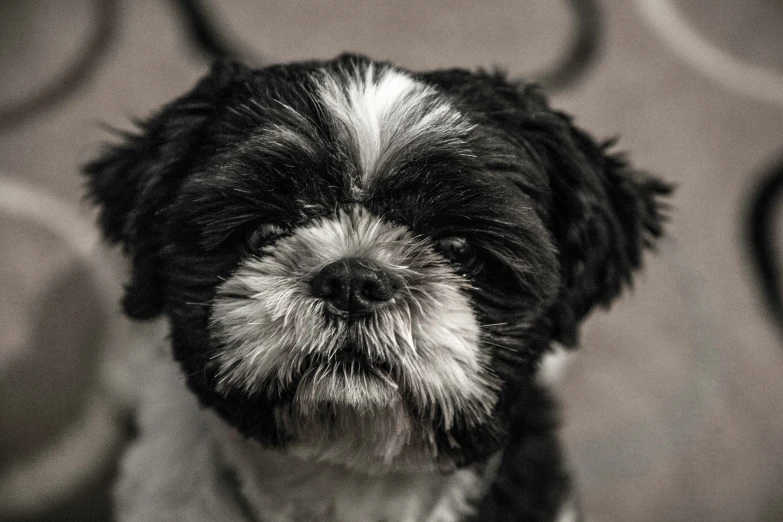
[352,287]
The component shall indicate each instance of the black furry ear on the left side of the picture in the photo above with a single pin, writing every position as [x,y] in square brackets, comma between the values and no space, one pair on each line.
[133,181]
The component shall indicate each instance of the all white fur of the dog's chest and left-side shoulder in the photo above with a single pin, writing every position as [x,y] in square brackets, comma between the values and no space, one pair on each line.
[173,473]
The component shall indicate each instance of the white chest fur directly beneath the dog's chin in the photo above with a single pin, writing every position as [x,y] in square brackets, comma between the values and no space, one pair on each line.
[282,488]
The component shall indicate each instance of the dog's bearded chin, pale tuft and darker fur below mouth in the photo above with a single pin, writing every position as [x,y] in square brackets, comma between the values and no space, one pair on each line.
[350,411]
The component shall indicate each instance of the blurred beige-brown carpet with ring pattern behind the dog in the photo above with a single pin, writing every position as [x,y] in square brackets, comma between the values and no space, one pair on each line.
[672,409]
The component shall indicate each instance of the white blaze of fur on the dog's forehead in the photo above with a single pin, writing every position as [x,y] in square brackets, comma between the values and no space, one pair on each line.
[382,112]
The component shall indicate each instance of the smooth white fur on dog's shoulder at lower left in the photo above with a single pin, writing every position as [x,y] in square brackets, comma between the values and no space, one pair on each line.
[171,473]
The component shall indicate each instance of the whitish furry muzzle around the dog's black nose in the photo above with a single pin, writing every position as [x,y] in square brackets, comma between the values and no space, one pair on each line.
[268,322]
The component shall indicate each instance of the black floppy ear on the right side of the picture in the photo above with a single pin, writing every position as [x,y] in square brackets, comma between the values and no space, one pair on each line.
[604,214]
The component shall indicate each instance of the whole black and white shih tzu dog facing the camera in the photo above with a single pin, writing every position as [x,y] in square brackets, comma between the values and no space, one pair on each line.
[362,268]
